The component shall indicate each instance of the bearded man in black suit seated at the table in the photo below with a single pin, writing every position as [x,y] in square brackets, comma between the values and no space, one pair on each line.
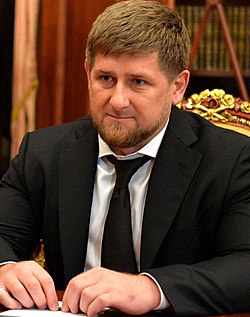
[190,205]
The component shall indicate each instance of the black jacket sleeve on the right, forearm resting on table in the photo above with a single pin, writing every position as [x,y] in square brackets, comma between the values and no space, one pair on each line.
[220,284]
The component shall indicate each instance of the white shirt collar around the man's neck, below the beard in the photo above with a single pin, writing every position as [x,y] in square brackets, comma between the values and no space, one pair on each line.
[150,149]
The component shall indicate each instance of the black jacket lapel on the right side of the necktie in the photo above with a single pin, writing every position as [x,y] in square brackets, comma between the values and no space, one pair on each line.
[172,173]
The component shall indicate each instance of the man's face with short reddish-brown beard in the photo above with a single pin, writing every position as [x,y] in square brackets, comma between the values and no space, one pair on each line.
[130,99]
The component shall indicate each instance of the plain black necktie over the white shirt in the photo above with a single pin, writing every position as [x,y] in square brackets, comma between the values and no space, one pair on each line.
[117,244]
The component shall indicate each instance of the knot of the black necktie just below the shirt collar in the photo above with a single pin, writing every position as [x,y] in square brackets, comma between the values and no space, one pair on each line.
[126,168]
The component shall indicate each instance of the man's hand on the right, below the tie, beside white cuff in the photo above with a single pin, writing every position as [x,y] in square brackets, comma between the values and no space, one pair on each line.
[99,288]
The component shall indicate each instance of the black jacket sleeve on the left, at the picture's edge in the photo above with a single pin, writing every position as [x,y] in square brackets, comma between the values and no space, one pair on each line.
[18,233]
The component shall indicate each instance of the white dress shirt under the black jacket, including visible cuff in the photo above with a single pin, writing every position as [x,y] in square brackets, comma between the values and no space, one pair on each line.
[103,188]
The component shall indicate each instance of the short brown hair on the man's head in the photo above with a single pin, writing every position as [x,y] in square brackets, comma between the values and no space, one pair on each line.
[141,26]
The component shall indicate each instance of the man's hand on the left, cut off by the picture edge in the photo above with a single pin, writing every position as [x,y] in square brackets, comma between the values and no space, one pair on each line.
[27,284]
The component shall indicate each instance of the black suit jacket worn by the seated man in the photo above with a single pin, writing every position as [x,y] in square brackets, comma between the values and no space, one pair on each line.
[196,226]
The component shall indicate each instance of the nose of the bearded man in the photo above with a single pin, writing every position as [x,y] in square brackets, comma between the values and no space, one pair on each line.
[119,97]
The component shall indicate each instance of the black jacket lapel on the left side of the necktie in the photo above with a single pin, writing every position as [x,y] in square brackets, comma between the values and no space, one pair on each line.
[77,168]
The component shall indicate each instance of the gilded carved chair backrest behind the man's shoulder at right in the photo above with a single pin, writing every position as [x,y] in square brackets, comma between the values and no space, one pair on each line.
[222,109]
